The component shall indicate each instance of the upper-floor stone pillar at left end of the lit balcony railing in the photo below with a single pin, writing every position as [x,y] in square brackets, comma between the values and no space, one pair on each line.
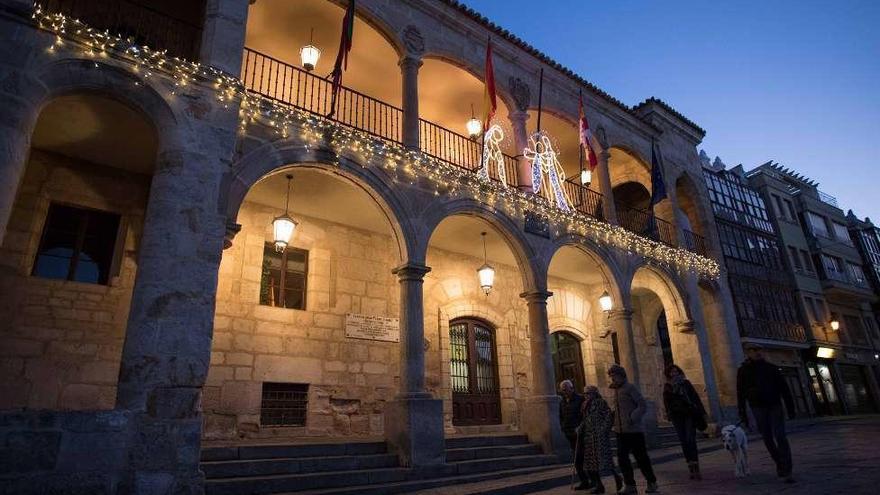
[223,35]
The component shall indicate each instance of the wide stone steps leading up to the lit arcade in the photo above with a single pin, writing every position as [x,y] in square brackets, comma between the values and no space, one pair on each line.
[364,467]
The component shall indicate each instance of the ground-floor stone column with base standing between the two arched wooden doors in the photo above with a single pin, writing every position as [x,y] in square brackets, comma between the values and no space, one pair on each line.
[540,418]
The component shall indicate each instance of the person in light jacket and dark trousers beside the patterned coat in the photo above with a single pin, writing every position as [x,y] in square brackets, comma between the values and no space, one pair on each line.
[629,408]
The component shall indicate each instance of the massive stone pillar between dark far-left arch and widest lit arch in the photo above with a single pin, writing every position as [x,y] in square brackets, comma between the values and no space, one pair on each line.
[167,347]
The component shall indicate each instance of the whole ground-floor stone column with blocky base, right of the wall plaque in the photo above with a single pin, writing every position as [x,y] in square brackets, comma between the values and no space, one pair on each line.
[414,420]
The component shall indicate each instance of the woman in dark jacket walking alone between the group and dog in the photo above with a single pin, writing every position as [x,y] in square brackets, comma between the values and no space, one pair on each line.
[685,409]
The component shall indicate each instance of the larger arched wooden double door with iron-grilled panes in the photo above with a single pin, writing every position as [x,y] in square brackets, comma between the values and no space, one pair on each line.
[473,365]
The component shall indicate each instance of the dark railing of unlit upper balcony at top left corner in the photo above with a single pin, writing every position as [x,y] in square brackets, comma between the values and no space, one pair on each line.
[141,23]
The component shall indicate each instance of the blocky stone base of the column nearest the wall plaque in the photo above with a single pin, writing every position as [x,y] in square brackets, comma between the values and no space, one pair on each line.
[414,430]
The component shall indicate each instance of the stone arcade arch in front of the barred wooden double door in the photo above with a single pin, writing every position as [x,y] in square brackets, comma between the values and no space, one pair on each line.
[523,252]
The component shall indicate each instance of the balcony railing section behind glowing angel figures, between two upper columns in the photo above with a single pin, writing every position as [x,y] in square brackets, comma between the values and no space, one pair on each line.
[453,148]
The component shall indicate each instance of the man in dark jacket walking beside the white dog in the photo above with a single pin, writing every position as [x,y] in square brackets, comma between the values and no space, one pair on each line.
[762,386]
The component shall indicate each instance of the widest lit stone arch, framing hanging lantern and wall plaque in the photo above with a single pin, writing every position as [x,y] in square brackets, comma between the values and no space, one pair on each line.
[271,157]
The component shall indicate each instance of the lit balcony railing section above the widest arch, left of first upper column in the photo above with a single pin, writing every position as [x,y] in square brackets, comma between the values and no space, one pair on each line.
[292,85]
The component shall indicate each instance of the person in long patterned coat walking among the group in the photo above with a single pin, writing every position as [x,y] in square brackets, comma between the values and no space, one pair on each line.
[595,431]
